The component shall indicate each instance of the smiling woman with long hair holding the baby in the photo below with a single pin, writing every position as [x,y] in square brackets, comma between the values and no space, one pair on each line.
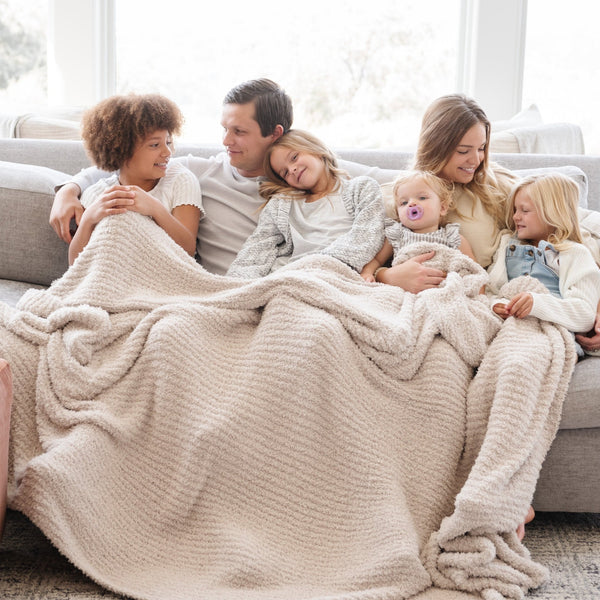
[454,144]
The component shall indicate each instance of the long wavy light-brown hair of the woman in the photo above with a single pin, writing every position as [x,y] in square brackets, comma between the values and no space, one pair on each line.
[445,123]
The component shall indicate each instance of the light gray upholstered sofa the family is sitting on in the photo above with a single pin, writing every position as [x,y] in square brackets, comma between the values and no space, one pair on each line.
[32,255]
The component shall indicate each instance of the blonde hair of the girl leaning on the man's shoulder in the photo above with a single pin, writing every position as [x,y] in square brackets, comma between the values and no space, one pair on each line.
[302,141]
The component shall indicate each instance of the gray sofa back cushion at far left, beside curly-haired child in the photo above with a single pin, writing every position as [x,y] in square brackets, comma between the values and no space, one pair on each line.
[26,196]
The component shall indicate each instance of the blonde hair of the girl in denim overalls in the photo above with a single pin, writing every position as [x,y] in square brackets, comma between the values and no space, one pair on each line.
[556,199]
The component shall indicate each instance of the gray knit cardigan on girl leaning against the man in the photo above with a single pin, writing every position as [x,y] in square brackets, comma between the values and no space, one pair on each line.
[272,237]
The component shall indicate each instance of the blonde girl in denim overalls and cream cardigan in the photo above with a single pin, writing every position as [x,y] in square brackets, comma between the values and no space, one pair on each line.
[545,242]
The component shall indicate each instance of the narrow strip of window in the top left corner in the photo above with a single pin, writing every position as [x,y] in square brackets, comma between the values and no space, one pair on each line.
[23,64]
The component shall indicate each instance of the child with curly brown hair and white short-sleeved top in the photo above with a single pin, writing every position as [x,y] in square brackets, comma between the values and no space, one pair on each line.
[133,136]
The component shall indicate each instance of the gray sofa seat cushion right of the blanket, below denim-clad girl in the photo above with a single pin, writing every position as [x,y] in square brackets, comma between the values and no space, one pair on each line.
[582,406]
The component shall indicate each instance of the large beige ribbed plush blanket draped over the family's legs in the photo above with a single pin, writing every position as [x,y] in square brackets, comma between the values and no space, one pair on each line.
[307,435]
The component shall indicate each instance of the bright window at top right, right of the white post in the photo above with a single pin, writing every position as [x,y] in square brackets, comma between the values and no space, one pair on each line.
[561,72]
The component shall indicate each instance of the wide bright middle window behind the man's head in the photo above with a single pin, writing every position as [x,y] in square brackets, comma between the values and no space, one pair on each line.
[358,76]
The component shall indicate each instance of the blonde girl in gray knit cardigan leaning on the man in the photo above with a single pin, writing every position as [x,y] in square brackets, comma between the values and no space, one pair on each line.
[311,207]
